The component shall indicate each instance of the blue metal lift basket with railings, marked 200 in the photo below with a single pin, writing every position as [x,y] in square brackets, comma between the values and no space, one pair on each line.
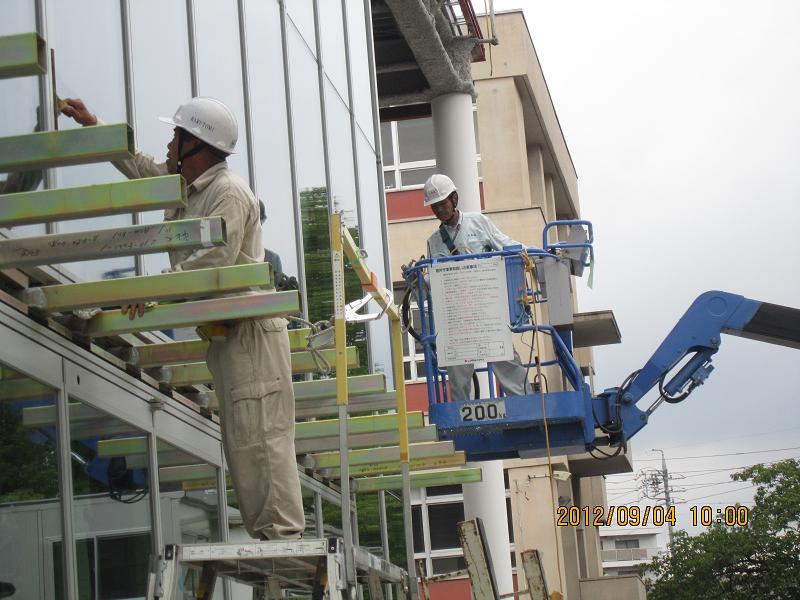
[492,427]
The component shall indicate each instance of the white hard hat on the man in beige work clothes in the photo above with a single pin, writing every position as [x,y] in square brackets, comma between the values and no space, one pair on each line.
[207,119]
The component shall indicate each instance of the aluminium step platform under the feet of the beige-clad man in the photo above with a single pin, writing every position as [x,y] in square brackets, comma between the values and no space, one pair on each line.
[313,568]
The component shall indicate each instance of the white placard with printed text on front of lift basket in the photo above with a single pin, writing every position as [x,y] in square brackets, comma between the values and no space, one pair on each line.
[470,310]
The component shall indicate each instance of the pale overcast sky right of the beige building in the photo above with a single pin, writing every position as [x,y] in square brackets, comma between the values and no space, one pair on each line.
[683,121]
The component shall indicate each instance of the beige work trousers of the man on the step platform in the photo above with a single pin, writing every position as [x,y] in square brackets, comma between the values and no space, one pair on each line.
[253,379]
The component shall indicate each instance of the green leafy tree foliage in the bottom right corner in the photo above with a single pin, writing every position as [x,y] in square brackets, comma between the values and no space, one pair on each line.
[758,560]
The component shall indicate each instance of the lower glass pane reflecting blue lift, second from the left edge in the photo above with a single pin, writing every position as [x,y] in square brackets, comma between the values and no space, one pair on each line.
[111,511]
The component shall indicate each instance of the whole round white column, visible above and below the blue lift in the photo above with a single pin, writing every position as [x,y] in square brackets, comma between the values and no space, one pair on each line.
[454,138]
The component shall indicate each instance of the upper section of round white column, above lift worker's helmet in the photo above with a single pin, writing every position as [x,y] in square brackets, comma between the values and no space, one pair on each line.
[454,138]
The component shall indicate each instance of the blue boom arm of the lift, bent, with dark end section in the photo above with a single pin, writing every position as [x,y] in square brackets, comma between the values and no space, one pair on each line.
[696,336]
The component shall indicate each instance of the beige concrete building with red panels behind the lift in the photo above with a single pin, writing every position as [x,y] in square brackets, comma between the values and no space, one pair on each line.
[527,179]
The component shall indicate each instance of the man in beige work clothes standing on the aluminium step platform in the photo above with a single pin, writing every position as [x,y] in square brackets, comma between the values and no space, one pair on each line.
[252,365]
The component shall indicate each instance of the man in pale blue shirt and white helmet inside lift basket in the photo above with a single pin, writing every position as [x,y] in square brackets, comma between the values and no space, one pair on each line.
[468,233]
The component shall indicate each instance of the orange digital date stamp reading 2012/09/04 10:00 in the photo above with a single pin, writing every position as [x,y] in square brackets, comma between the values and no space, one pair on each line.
[657,516]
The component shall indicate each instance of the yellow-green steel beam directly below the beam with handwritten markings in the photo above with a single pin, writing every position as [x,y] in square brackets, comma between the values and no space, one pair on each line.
[183,285]
